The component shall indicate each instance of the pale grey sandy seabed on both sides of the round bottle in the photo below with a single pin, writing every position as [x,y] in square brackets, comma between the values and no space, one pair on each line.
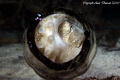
[14,67]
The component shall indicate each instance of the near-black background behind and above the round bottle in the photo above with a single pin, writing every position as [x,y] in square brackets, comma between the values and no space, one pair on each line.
[15,15]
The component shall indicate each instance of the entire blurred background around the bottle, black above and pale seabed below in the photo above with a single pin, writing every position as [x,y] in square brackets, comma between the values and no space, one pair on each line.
[15,15]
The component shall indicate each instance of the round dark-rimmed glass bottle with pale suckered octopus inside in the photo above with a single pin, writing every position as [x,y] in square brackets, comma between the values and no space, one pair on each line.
[60,44]
